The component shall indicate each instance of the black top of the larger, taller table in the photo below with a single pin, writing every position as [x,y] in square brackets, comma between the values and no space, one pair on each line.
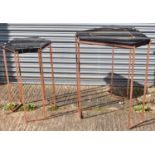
[114,35]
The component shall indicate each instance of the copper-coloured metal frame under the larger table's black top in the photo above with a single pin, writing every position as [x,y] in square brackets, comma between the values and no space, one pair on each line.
[130,74]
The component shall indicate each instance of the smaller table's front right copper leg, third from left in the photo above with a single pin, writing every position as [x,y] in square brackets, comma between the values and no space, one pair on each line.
[43,93]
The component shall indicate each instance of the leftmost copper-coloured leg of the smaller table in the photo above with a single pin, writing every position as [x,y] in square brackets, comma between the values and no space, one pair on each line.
[9,87]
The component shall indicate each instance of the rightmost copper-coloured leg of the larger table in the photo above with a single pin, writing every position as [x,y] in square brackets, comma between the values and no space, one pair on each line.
[146,78]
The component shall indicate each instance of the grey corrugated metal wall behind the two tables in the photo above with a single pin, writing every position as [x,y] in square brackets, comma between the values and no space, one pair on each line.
[95,60]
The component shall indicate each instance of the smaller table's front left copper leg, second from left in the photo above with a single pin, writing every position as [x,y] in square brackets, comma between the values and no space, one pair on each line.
[19,82]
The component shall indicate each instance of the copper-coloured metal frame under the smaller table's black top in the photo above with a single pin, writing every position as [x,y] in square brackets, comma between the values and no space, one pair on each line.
[20,84]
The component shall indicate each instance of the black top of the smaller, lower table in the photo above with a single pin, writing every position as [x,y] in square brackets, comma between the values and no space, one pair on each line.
[25,45]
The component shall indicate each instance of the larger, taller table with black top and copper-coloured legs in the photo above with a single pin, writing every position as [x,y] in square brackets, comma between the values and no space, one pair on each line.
[115,37]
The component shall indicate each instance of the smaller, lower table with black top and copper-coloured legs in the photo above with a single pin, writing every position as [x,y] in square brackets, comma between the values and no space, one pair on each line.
[29,45]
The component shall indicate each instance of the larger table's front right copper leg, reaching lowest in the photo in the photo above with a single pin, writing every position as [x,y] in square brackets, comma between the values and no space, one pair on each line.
[131,89]
